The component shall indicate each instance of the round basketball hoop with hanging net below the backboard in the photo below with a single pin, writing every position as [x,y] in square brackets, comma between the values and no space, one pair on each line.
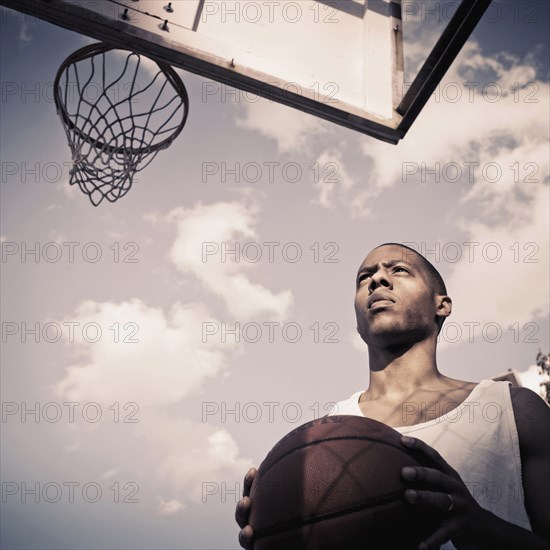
[115,127]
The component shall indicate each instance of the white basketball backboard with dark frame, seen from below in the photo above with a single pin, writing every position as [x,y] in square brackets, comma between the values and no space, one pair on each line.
[341,60]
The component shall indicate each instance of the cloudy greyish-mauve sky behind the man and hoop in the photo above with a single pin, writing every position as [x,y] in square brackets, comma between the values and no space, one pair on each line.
[155,348]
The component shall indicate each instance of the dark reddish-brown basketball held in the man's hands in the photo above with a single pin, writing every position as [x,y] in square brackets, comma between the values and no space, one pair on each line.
[335,483]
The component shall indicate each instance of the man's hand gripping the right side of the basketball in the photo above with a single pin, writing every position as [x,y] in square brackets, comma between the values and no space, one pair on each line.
[467,524]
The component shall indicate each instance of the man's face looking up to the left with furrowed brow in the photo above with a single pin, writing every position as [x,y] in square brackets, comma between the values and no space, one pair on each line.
[394,301]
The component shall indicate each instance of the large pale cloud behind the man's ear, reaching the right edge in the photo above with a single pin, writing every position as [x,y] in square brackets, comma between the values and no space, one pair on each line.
[502,280]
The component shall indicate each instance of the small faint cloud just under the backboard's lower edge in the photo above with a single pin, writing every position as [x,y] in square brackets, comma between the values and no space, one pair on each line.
[293,130]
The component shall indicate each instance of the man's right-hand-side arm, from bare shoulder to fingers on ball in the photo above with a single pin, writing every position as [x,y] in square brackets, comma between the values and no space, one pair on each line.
[468,525]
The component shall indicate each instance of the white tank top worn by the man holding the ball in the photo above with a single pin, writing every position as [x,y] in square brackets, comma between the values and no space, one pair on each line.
[479,439]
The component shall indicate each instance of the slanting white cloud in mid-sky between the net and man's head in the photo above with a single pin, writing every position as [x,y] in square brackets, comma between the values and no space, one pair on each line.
[203,234]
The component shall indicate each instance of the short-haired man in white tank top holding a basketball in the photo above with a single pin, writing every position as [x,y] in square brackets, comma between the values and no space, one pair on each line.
[401,303]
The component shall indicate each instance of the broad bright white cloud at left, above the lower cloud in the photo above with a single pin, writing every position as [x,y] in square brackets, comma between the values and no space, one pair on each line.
[137,353]
